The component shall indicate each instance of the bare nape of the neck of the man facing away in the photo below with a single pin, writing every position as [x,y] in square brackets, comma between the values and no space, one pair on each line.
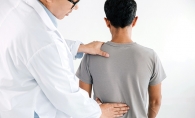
[121,35]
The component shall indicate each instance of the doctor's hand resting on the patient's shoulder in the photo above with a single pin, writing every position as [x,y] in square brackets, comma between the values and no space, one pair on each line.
[93,48]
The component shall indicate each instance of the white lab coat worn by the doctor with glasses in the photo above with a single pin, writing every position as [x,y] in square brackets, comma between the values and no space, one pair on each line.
[36,66]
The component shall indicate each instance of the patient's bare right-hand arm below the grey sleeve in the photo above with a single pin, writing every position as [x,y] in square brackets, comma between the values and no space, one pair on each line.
[154,100]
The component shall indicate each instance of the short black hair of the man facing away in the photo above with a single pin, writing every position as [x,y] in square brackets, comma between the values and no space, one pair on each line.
[120,12]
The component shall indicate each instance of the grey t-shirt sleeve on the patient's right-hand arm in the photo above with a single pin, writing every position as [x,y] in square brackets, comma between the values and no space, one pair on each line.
[158,72]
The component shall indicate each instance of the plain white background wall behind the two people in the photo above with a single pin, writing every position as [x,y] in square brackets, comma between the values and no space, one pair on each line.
[168,27]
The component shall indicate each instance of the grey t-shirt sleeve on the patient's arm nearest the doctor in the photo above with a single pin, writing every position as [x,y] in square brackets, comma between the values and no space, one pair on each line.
[83,72]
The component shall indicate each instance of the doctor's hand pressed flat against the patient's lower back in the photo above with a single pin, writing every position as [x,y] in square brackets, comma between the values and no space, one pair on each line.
[112,110]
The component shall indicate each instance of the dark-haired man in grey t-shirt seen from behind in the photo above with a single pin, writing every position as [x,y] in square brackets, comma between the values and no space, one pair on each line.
[131,73]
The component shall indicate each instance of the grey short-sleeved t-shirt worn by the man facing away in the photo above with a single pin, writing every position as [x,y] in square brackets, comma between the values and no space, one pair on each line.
[124,76]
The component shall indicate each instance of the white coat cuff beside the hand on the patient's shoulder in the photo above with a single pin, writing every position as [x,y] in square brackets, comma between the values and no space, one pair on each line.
[73,46]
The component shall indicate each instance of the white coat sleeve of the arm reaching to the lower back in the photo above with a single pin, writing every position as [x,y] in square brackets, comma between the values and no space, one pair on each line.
[51,66]
